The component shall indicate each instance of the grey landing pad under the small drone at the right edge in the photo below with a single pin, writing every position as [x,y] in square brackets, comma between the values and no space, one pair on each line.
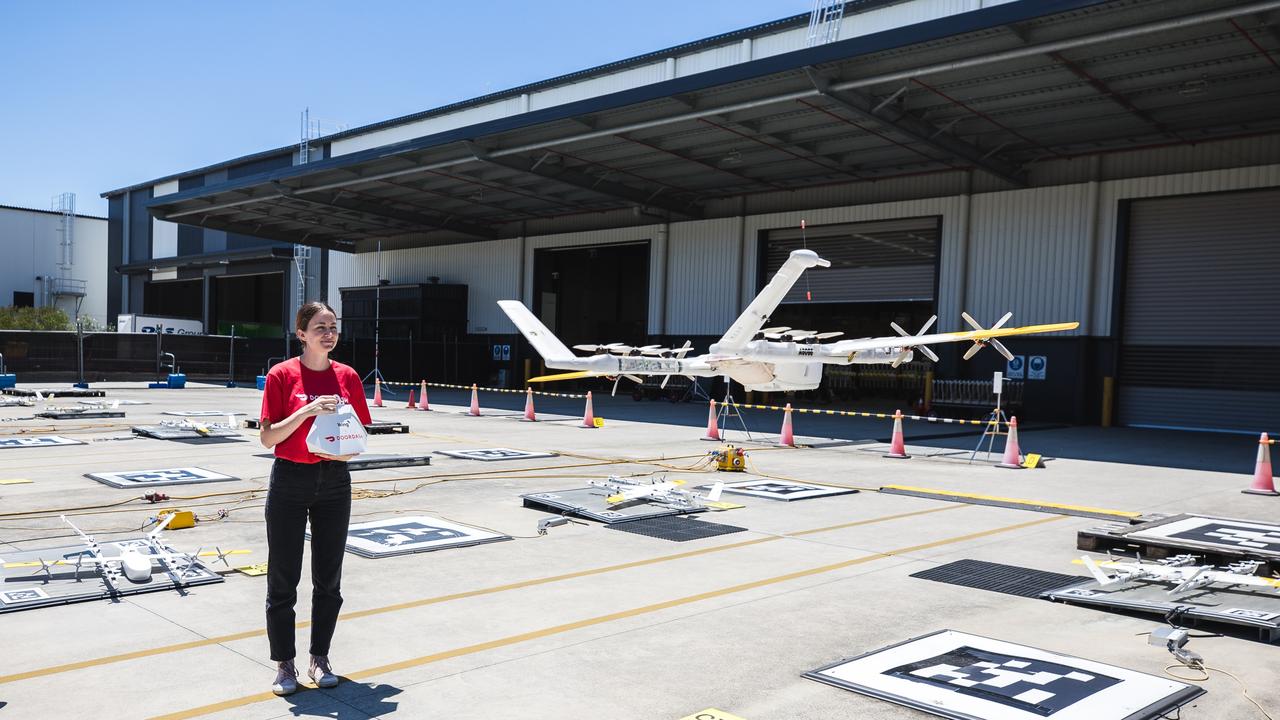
[1251,608]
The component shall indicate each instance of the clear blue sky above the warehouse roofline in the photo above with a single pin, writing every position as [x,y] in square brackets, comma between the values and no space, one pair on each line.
[104,95]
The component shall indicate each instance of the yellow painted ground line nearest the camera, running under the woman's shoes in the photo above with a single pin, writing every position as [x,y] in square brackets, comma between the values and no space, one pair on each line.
[610,618]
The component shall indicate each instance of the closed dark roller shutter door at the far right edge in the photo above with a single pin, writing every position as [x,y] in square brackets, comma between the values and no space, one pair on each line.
[1201,329]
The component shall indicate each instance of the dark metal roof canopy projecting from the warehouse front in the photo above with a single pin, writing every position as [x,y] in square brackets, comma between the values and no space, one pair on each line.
[993,90]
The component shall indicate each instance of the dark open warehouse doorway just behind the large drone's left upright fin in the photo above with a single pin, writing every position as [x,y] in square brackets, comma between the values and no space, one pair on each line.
[595,294]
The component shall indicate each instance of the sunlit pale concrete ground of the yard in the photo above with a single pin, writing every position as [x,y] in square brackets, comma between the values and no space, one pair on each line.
[586,622]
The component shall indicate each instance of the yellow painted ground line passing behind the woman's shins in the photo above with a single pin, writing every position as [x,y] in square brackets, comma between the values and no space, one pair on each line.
[426,601]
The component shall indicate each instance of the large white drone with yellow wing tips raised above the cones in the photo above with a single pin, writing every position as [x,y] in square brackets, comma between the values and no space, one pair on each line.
[758,358]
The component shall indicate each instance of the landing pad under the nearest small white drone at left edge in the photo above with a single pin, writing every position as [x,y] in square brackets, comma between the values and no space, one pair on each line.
[21,590]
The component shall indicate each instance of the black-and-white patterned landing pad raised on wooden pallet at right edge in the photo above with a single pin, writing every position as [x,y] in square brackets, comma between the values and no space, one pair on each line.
[1219,540]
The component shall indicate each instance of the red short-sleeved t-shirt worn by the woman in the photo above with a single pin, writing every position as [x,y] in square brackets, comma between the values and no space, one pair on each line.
[290,386]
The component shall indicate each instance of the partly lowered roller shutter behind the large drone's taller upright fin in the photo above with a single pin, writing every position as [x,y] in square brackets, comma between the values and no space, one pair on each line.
[877,262]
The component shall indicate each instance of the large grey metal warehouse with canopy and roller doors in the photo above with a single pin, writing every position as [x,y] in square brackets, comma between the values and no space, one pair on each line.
[1116,163]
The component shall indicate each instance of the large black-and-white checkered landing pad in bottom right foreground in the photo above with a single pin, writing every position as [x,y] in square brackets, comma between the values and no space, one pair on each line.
[968,677]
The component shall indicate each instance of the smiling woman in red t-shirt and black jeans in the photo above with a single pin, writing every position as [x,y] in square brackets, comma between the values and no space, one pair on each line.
[307,486]
